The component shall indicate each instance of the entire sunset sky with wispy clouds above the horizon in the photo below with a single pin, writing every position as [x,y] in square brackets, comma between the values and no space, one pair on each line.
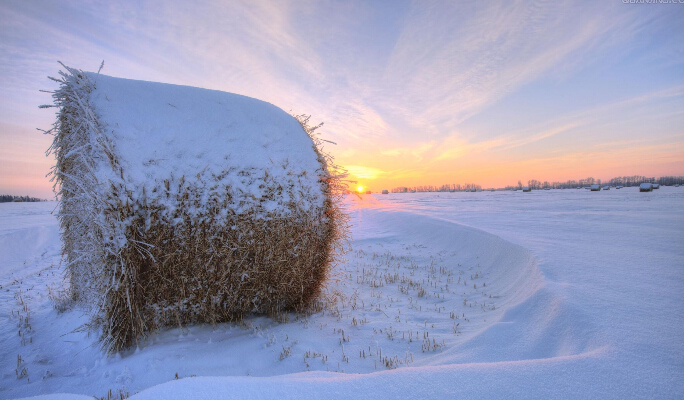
[412,92]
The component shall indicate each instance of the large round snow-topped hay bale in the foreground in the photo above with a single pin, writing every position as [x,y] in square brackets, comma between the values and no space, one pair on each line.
[183,205]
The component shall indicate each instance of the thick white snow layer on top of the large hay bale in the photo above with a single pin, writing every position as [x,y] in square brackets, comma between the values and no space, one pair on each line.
[160,131]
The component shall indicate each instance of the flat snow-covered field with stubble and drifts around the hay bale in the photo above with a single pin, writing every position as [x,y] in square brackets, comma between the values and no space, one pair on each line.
[549,294]
